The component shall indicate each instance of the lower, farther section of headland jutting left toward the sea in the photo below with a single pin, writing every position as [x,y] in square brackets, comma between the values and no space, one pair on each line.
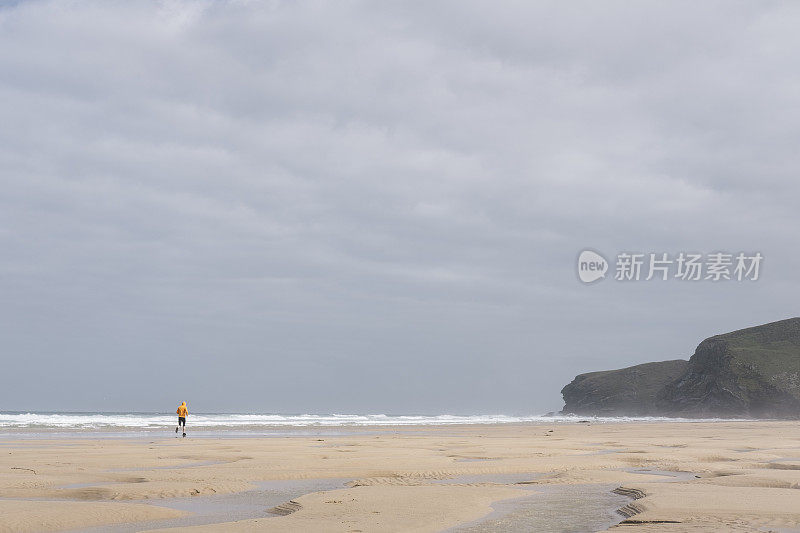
[631,391]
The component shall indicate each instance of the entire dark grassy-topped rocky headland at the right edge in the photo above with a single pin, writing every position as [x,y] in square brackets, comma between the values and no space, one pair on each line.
[750,373]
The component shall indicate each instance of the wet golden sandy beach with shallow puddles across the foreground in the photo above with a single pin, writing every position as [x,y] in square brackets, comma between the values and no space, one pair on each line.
[732,476]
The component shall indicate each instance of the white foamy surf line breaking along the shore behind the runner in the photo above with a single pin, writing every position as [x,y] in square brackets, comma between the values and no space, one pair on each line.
[122,421]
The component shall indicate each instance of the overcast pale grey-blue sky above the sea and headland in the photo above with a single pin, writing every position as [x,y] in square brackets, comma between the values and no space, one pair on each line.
[377,207]
